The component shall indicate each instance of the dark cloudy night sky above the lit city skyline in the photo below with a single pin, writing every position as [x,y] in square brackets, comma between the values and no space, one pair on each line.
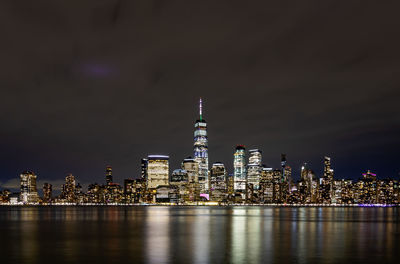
[85,84]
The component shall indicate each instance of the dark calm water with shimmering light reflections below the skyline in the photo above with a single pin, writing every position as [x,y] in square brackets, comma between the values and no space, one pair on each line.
[199,235]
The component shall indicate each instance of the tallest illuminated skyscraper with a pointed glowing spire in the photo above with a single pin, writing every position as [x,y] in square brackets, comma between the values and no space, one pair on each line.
[201,149]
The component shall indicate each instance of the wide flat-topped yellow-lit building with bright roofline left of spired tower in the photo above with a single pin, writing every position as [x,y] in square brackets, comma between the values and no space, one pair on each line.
[157,171]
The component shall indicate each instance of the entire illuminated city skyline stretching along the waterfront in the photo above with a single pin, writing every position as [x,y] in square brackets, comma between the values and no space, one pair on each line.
[195,182]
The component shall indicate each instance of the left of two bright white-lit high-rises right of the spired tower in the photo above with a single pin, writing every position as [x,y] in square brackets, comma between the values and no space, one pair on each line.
[239,169]
